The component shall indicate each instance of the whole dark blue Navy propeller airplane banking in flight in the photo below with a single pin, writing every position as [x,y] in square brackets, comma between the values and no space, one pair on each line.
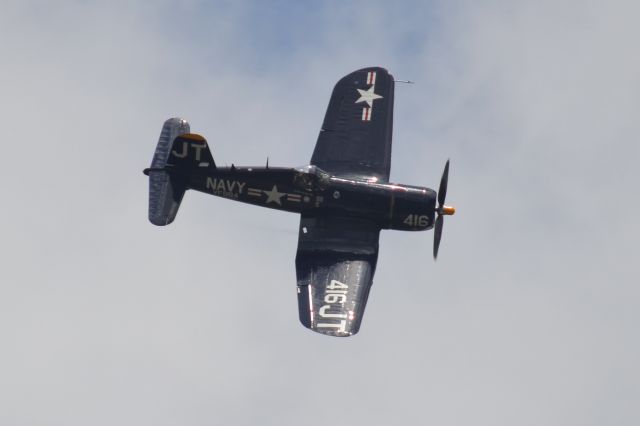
[344,197]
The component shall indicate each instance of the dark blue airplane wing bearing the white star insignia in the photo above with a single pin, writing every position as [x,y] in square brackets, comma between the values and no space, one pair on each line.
[355,138]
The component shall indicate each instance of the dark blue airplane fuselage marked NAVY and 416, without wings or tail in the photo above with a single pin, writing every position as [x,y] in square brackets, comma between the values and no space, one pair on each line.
[309,190]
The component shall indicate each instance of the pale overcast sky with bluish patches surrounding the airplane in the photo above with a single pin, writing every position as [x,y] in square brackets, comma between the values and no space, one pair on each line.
[529,317]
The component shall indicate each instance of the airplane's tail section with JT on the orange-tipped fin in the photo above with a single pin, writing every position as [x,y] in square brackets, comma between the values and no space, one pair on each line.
[177,152]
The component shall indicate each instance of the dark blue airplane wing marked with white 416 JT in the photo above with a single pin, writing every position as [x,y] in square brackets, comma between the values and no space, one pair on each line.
[335,264]
